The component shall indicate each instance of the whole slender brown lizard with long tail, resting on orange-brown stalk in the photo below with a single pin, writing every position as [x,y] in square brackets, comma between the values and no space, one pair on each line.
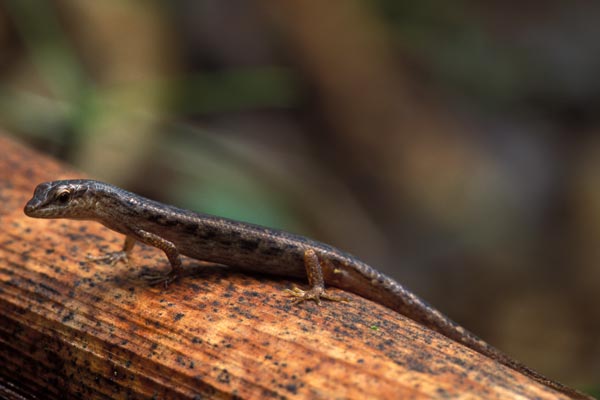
[250,247]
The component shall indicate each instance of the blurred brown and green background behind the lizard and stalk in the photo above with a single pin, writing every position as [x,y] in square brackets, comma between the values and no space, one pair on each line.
[453,145]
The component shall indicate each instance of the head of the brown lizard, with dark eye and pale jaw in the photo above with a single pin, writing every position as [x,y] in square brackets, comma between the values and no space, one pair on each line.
[60,199]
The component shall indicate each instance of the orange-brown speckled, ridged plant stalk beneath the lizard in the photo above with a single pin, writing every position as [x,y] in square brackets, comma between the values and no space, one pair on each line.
[70,327]
